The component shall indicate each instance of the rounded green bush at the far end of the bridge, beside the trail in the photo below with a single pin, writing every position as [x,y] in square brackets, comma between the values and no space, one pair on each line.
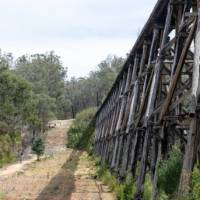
[80,133]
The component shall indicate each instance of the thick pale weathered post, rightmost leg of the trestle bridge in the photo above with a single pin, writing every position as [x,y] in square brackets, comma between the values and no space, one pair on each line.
[188,163]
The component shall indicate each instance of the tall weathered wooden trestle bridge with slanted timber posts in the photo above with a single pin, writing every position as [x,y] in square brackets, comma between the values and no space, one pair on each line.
[154,102]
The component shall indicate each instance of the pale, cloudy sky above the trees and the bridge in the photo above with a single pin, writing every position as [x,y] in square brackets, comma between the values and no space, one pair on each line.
[82,32]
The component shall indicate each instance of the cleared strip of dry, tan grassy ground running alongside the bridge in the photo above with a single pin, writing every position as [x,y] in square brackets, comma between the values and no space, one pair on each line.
[64,174]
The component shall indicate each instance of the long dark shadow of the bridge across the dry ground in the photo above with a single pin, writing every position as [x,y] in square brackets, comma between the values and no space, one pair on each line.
[62,185]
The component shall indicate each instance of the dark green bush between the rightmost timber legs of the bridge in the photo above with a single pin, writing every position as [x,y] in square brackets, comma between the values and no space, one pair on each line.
[169,172]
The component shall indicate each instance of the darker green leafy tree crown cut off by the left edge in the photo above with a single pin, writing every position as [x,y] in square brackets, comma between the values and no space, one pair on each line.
[15,94]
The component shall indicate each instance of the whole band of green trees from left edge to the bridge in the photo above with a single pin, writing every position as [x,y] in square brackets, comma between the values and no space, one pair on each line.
[34,89]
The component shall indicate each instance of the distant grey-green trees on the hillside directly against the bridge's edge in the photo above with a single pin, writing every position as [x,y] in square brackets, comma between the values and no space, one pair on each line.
[90,91]
